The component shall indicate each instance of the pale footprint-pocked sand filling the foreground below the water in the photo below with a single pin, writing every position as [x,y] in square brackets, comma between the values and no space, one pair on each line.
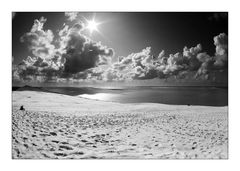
[61,126]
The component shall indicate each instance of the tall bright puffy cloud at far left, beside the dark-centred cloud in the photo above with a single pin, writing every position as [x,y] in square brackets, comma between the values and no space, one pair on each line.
[45,62]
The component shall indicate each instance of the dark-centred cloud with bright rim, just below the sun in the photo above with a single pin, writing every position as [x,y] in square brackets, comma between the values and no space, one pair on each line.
[81,53]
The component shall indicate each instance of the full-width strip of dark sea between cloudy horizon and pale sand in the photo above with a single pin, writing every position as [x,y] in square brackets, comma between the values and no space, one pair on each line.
[181,95]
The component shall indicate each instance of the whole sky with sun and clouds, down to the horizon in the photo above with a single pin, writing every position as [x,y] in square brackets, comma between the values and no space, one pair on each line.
[155,48]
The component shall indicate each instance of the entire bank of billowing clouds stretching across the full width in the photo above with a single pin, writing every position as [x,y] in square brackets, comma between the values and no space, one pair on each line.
[71,55]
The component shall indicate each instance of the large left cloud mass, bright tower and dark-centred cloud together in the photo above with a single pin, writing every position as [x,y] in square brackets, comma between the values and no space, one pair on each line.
[70,55]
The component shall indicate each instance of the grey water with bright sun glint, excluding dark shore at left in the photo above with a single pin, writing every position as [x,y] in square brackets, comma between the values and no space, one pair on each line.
[207,96]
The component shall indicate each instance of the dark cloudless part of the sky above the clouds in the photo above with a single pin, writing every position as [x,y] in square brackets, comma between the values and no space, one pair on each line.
[130,32]
